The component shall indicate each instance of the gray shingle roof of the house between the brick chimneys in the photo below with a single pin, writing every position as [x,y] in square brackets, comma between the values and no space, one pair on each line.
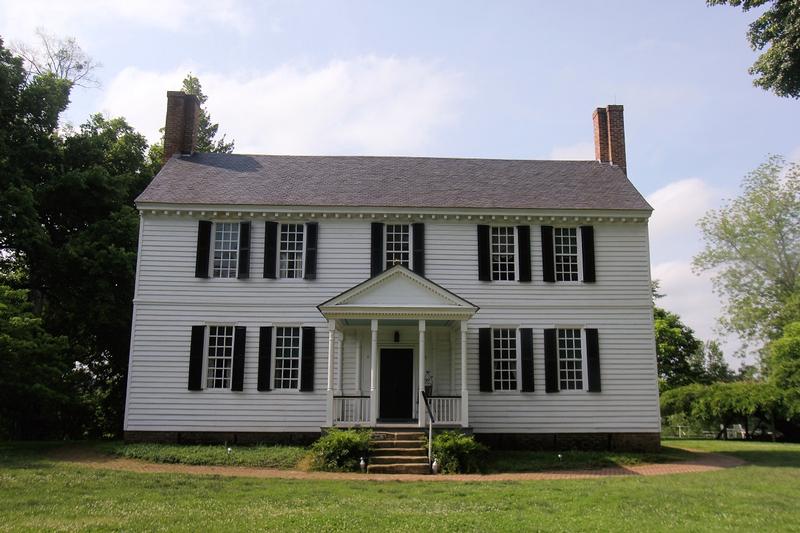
[345,181]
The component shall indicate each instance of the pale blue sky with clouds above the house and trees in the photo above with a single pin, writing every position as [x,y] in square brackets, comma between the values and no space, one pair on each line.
[466,79]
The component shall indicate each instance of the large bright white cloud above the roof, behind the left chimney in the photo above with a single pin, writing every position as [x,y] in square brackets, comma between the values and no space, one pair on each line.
[367,105]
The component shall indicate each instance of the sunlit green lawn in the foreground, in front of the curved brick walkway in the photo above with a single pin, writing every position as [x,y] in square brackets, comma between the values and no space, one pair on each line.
[36,494]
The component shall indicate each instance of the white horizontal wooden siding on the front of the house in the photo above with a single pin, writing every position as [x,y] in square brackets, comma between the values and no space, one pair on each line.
[170,300]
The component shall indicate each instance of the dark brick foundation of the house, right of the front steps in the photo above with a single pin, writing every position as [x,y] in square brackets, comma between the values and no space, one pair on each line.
[631,442]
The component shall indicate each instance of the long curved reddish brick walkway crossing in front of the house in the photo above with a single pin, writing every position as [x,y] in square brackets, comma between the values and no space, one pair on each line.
[703,462]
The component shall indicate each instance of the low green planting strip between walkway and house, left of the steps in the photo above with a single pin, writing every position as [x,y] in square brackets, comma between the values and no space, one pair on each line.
[283,457]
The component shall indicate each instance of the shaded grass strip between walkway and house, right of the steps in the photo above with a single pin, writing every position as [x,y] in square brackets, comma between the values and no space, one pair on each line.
[527,461]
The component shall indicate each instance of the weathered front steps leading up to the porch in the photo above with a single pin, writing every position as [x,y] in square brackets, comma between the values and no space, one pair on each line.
[398,452]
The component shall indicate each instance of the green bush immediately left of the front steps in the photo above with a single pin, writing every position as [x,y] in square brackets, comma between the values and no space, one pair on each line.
[341,450]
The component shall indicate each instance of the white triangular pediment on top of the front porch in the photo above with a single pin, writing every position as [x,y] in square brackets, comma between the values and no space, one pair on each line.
[400,289]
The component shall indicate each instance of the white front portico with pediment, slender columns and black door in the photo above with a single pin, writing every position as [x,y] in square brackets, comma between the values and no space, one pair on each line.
[389,339]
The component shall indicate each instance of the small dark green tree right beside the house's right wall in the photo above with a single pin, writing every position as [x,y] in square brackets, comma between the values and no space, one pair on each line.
[676,349]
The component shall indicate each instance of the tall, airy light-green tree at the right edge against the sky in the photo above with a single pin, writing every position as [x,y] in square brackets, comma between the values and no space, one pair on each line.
[752,249]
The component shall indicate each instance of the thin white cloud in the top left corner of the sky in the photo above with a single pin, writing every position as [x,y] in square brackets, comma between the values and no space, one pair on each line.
[67,17]
